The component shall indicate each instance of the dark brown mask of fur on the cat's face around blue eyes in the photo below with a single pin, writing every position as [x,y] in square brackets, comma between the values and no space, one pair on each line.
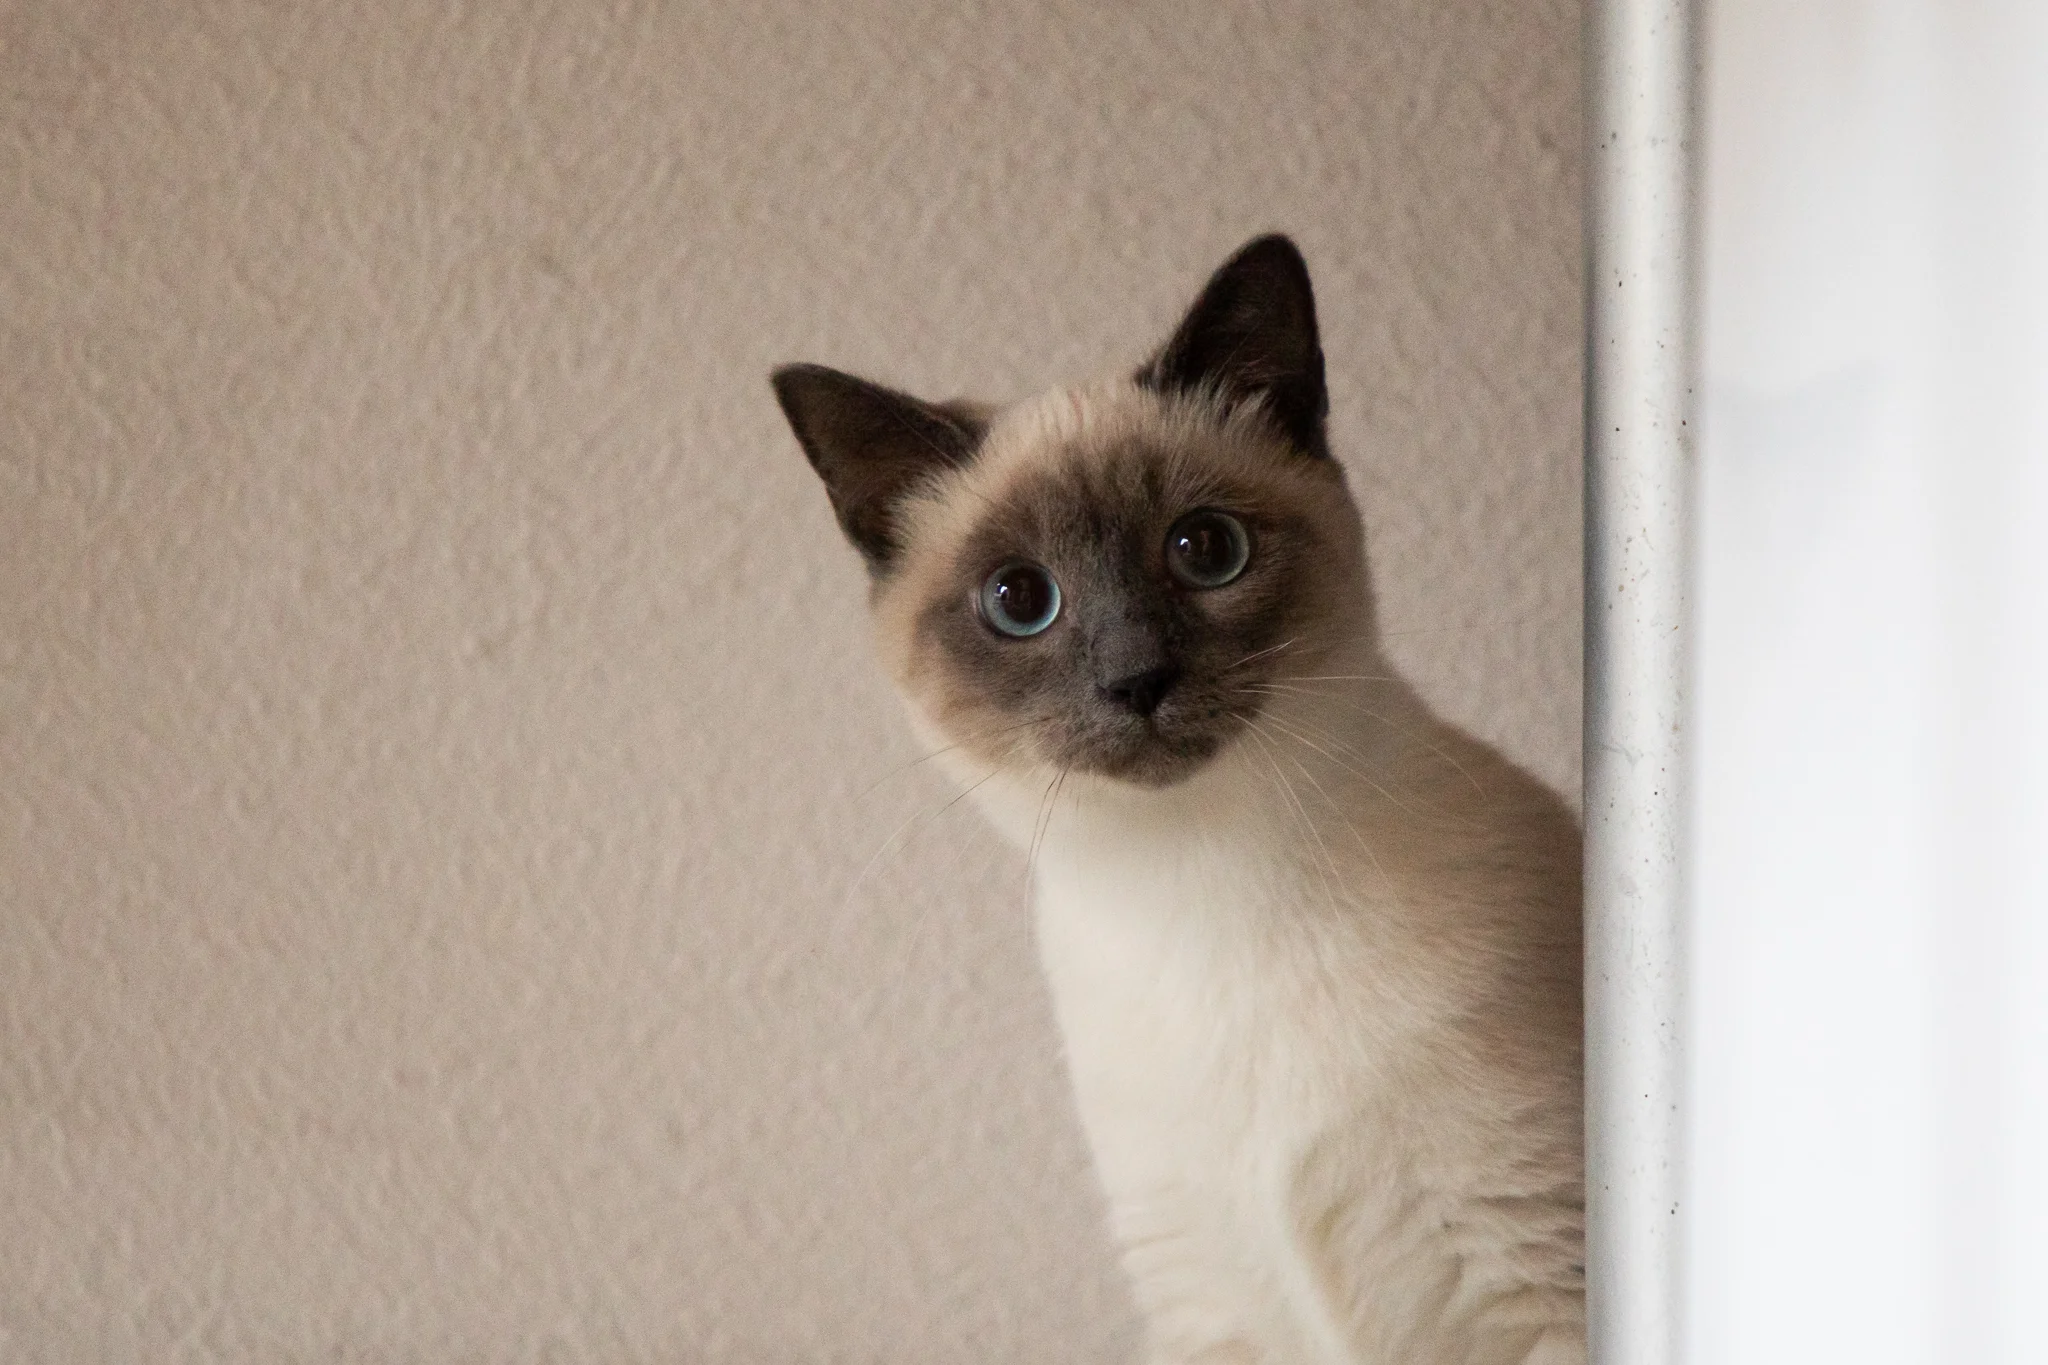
[1121,615]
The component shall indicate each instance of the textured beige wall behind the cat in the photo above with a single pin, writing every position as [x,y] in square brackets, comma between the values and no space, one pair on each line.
[435,711]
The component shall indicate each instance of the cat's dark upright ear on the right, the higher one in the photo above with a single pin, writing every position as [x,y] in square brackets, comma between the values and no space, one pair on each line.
[1252,337]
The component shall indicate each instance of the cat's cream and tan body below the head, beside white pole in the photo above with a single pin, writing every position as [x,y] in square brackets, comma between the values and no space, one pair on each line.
[1314,1016]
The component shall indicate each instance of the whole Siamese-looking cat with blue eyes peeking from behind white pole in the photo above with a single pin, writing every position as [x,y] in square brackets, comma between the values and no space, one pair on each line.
[1314,953]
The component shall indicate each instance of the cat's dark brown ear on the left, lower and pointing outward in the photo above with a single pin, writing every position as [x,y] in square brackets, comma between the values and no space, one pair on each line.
[871,445]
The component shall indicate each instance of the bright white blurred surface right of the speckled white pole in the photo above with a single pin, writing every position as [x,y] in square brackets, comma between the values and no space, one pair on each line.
[1871,897]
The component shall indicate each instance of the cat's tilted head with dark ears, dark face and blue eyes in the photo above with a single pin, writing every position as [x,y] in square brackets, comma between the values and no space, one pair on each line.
[1109,580]
